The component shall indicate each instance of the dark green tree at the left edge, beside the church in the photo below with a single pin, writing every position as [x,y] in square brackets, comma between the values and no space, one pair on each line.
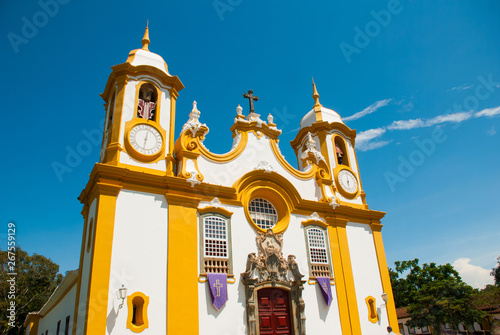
[35,280]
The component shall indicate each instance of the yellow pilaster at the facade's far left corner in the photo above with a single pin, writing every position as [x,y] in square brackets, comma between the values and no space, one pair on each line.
[101,258]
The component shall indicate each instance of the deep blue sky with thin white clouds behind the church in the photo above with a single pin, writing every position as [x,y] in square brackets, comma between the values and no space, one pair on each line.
[419,81]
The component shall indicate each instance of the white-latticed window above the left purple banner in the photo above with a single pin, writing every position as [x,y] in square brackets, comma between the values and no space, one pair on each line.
[216,249]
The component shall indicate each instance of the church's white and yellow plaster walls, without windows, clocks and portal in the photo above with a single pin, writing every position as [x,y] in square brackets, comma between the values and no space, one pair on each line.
[142,223]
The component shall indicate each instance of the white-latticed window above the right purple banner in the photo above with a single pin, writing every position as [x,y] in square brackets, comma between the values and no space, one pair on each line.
[318,252]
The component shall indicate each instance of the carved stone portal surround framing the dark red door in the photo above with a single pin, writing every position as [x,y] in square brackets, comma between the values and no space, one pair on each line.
[270,269]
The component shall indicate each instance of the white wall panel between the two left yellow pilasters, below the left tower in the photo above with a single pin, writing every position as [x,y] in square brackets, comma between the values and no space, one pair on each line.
[139,259]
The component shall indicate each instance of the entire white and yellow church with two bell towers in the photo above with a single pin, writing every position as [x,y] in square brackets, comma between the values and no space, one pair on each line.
[180,240]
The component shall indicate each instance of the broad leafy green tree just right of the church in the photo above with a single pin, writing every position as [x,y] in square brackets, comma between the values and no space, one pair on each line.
[434,295]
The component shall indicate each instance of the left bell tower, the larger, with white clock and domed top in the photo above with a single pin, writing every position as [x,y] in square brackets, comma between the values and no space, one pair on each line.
[140,98]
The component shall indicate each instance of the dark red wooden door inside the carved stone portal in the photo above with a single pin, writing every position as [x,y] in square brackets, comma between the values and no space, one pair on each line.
[274,312]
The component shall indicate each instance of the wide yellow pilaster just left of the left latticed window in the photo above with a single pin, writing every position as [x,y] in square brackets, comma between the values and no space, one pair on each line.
[182,304]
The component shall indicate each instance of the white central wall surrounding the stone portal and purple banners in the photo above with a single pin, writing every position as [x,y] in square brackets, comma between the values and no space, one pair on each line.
[231,319]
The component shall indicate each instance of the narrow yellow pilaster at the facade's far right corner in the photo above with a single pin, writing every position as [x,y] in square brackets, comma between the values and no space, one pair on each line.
[384,274]
